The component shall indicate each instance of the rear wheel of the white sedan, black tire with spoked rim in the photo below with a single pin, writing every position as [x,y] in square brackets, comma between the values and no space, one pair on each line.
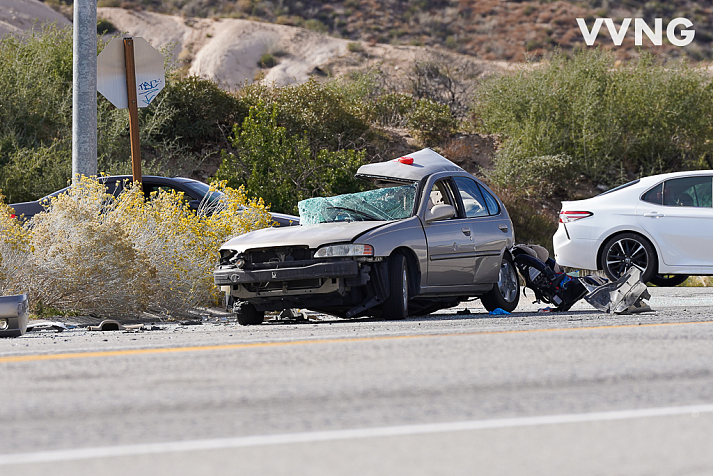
[620,252]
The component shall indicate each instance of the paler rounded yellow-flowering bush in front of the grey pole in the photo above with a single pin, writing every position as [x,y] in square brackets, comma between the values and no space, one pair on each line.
[82,260]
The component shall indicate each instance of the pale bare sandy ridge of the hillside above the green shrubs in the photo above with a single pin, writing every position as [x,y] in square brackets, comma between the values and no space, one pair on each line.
[229,50]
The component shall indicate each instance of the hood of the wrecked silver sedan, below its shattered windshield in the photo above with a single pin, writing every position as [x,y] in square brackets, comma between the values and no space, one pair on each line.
[312,236]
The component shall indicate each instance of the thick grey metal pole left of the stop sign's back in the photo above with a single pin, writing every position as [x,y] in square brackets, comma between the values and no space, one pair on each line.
[84,89]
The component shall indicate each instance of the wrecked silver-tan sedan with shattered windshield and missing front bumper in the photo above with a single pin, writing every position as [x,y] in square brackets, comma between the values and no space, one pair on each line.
[428,237]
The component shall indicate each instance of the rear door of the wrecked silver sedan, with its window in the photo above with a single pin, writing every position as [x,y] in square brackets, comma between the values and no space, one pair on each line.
[489,228]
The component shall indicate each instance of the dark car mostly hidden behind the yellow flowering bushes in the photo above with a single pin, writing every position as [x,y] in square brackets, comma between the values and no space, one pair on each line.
[193,190]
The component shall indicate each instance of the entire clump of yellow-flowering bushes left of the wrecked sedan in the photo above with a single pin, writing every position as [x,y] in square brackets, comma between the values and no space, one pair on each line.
[92,252]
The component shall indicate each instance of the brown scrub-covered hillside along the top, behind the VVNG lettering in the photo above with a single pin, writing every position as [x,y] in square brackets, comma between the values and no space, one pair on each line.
[489,29]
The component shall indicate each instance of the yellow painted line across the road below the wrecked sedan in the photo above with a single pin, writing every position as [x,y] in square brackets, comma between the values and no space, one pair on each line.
[166,350]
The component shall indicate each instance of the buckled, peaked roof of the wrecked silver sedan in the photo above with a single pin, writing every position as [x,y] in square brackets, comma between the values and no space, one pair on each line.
[425,163]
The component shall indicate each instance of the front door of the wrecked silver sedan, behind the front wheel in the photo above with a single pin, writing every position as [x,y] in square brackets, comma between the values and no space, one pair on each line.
[451,251]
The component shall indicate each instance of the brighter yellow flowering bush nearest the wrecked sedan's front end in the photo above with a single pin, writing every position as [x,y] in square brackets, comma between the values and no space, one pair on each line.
[182,244]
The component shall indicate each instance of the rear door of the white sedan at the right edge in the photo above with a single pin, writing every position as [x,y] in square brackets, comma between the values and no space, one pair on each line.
[678,215]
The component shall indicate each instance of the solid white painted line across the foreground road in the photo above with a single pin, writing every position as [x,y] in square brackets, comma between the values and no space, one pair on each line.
[320,436]
